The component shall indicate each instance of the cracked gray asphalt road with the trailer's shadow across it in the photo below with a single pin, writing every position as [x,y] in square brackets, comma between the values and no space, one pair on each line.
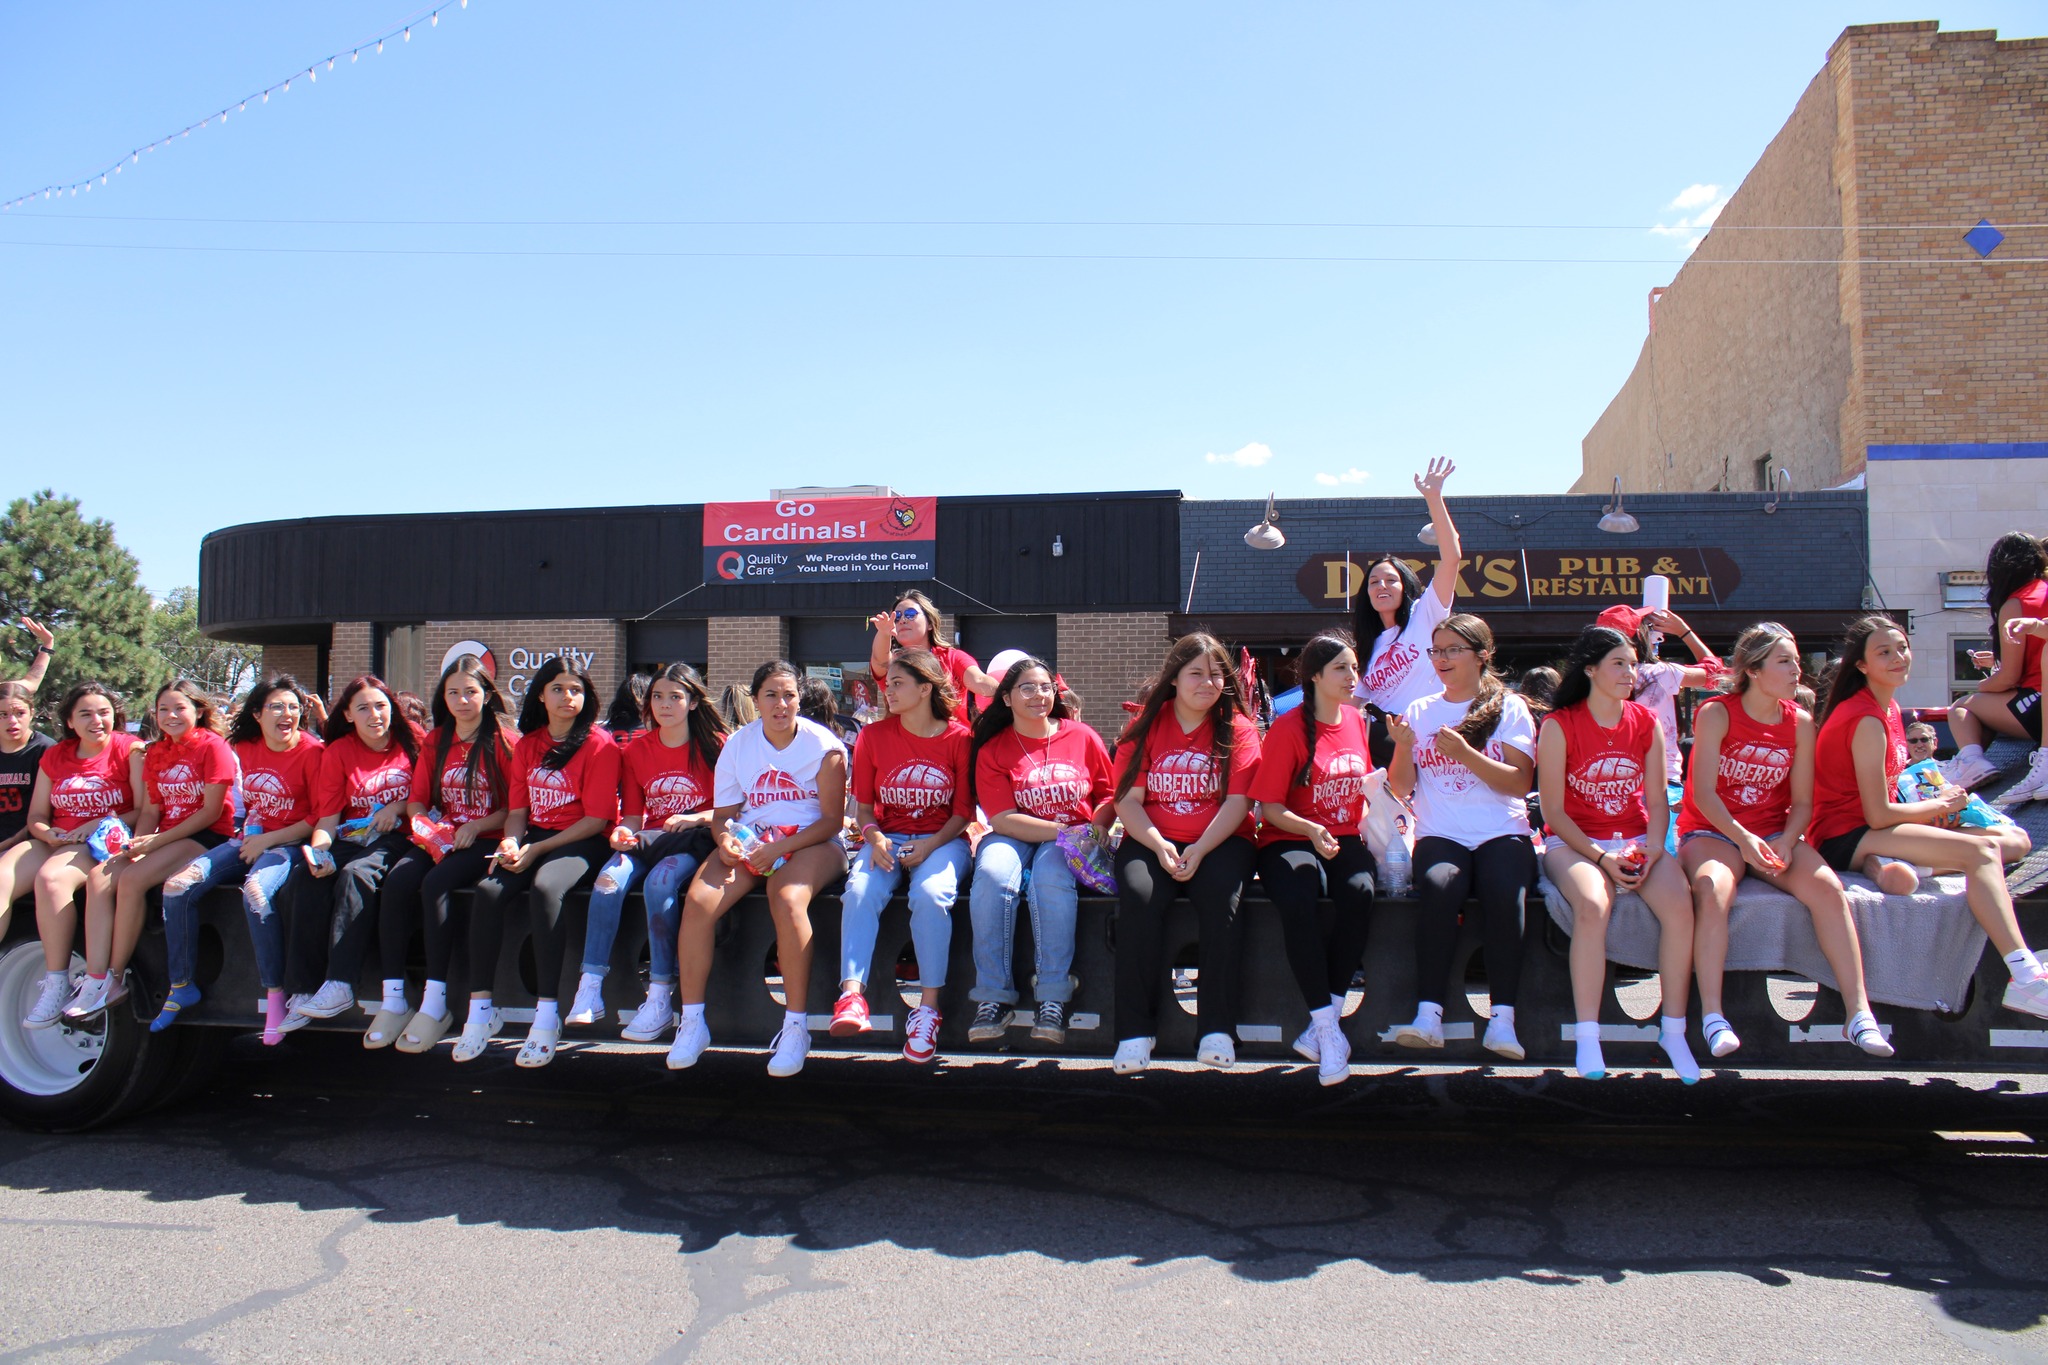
[325,1204]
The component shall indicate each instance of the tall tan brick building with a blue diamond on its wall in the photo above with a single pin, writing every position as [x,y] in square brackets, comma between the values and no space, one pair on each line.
[1848,314]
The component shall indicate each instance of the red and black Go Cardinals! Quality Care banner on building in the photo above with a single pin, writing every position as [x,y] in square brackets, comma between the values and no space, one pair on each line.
[820,541]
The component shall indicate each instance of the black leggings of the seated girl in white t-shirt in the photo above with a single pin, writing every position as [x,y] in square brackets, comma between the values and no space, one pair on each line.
[1500,873]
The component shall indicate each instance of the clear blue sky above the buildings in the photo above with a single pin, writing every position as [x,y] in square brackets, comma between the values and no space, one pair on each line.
[556,255]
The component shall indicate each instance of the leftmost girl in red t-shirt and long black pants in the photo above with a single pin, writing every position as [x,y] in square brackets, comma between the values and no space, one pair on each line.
[364,781]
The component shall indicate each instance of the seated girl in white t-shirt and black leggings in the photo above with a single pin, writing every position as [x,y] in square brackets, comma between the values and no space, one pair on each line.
[1467,754]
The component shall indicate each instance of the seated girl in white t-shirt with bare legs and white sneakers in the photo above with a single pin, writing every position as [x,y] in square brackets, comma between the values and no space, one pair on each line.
[779,799]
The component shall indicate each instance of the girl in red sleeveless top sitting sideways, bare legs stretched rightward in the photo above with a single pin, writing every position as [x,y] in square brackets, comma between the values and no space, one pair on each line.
[1861,826]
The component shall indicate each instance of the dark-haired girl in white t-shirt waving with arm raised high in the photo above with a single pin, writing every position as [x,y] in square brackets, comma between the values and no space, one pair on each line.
[1396,619]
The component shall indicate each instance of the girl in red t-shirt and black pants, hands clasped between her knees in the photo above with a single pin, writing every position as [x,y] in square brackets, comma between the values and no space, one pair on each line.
[1185,773]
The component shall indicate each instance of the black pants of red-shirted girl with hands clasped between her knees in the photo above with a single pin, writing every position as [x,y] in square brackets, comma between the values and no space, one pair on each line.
[1144,895]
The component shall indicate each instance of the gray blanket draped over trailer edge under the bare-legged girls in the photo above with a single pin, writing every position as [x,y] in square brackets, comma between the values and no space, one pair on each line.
[1920,951]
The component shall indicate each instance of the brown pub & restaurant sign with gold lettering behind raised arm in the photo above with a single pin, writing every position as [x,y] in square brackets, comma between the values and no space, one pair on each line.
[1541,578]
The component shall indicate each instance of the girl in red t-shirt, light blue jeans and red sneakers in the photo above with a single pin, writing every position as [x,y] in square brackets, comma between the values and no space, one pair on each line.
[912,809]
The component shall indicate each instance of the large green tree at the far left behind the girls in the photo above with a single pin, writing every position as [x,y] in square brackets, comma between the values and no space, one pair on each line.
[73,576]
